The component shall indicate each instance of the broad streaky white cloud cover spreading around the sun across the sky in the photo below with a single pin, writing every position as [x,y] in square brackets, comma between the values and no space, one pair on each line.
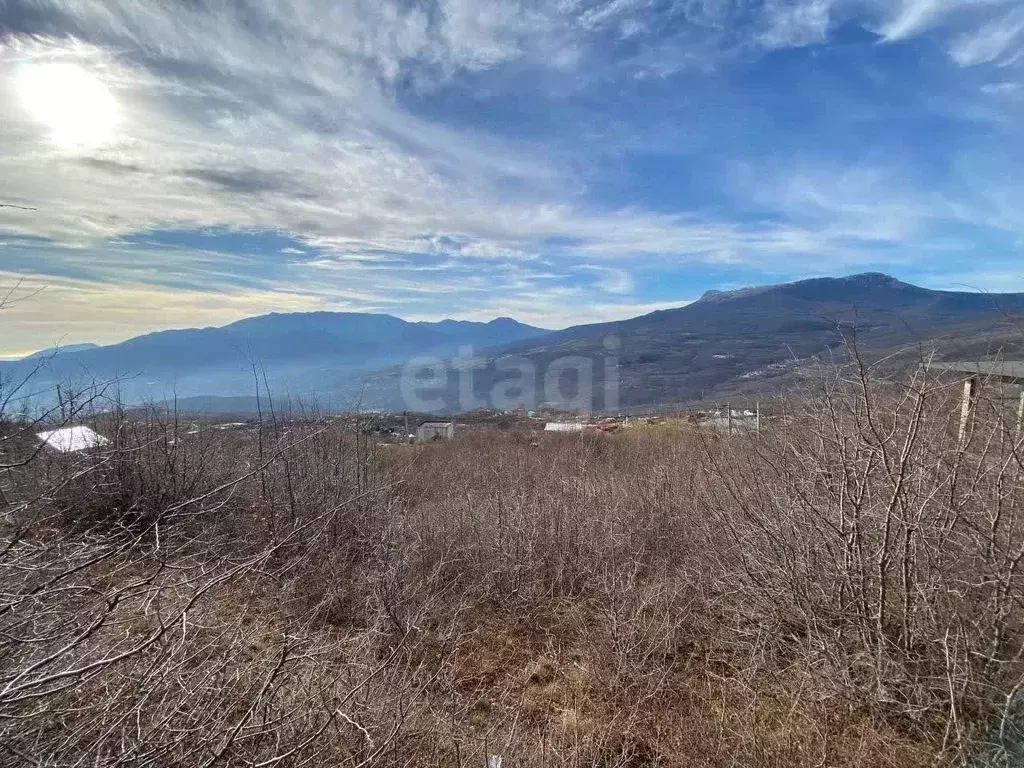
[296,118]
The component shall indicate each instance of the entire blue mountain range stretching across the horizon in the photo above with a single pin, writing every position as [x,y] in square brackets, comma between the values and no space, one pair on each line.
[728,344]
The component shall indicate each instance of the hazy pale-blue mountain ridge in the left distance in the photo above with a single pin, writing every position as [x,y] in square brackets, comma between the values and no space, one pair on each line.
[301,355]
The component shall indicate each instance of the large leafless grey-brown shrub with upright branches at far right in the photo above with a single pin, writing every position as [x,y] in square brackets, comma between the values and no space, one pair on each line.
[872,539]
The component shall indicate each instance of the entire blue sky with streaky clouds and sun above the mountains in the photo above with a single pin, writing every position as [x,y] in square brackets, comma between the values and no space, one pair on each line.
[186,164]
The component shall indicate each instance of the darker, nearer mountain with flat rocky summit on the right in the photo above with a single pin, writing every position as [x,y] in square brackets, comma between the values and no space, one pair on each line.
[751,342]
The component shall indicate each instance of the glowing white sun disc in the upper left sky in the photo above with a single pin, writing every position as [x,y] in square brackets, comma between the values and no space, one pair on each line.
[73,103]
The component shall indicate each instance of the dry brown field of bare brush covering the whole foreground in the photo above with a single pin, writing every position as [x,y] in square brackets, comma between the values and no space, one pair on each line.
[842,591]
